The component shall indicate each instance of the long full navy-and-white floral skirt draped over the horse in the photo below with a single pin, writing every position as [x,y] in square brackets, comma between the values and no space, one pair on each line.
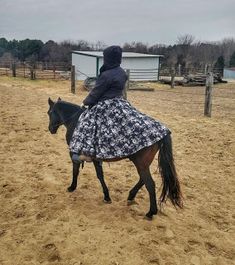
[115,129]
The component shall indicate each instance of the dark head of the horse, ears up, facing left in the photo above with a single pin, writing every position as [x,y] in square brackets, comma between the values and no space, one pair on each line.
[54,118]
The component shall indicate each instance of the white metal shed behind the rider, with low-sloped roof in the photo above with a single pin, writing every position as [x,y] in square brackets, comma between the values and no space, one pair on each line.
[141,66]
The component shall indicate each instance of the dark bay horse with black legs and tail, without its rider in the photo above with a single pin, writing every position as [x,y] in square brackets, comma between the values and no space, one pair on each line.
[67,114]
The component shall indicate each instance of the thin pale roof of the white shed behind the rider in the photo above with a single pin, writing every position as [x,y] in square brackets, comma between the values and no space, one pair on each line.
[99,54]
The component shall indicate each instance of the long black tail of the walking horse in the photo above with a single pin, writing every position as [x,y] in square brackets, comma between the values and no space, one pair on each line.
[171,186]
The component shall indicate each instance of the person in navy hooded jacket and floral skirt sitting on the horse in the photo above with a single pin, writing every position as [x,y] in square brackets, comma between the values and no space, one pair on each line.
[111,127]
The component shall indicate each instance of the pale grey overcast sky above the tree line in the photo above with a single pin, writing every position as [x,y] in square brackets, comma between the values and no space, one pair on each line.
[117,21]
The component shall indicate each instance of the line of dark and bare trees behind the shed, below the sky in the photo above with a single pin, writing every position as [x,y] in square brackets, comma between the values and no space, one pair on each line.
[186,52]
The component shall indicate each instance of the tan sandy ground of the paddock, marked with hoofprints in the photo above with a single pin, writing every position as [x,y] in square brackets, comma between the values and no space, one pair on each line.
[41,223]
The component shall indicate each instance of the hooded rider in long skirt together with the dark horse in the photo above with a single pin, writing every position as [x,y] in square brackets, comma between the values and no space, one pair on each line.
[110,129]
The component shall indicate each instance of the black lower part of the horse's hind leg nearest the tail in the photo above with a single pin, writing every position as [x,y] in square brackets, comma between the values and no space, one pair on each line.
[145,175]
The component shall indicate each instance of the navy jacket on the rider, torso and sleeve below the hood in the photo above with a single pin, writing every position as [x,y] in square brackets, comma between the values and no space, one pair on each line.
[110,84]
